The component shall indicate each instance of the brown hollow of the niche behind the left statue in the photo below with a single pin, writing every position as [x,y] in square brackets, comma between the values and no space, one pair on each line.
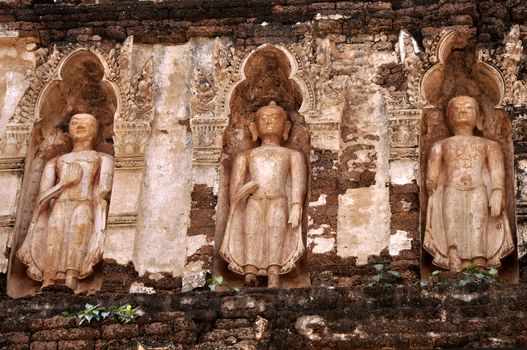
[80,88]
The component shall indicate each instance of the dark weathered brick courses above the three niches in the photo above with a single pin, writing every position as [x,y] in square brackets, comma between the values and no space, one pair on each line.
[177,21]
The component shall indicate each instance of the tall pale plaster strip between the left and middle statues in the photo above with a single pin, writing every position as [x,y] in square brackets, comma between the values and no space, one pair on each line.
[165,195]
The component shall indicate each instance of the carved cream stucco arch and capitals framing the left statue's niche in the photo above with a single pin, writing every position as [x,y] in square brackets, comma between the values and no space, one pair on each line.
[134,94]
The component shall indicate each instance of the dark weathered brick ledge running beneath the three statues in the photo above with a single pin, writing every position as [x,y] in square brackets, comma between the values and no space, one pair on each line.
[403,317]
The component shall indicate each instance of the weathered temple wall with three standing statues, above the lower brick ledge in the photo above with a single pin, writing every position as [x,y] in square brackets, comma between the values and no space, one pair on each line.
[280,144]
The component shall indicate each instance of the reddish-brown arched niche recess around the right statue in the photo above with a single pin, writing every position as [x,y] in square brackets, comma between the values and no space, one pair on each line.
[461,71]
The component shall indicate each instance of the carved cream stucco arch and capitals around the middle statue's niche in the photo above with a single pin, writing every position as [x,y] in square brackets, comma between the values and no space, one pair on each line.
[212,89]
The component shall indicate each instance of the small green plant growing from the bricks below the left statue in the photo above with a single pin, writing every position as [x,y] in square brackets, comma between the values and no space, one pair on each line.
[125,313]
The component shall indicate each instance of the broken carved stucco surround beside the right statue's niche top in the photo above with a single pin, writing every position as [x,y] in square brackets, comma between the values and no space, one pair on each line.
[421,65]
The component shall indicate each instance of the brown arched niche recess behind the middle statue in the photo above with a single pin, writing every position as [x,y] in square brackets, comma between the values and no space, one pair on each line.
[267,74]
